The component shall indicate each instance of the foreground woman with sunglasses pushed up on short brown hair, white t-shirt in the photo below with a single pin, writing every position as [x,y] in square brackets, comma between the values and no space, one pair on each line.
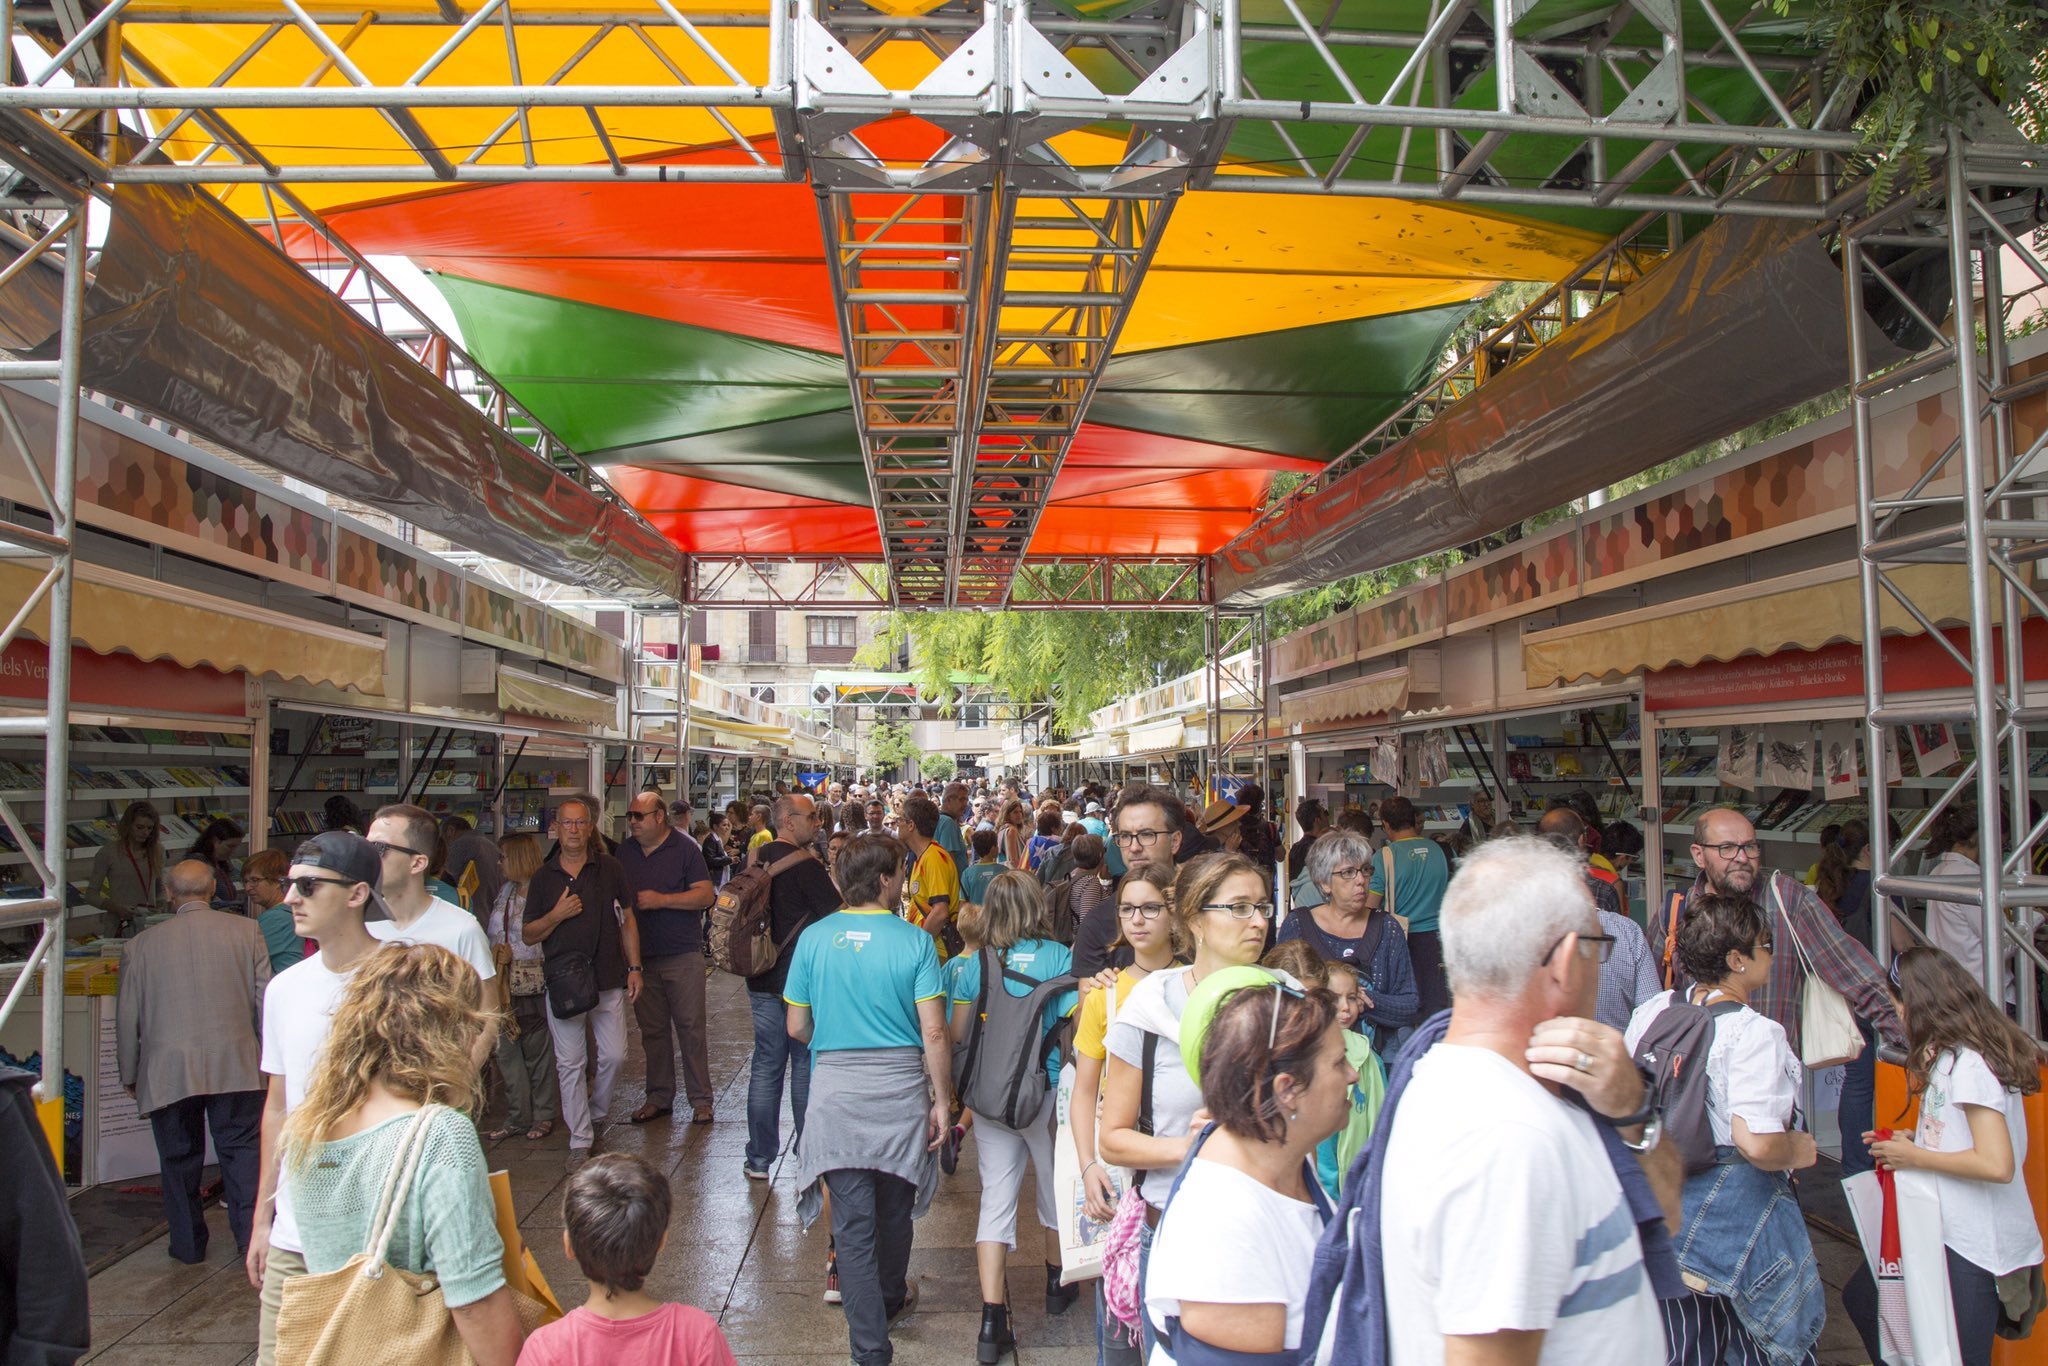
[1230,1269]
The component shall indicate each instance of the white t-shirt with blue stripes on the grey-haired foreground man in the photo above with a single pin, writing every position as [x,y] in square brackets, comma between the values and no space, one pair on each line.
[1502,1213]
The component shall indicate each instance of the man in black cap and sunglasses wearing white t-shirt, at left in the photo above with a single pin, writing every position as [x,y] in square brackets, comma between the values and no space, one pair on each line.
[331,890]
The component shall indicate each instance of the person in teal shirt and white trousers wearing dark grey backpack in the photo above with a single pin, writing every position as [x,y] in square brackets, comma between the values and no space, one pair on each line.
[1013,933]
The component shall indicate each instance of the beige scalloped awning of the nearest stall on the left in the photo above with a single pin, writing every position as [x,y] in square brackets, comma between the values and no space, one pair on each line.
[122,613]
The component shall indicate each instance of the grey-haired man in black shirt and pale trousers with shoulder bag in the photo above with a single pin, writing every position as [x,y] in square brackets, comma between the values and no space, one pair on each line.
[581,902]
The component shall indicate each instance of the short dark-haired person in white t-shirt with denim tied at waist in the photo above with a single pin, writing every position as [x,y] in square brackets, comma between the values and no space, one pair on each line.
[1742,1211]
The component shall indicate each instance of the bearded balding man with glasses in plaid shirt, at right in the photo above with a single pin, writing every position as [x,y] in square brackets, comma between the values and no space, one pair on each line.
[1732,863]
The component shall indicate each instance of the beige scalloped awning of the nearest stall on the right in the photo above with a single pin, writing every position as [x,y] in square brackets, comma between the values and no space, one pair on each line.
[1789,613]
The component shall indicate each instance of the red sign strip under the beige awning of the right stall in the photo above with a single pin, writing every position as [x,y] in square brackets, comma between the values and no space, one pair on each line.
[1912,665]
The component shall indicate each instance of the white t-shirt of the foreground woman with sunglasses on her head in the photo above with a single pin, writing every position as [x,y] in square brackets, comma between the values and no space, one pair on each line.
[1271,1246]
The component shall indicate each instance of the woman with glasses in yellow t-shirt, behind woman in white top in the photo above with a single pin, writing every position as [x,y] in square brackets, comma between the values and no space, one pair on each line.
[1150,935]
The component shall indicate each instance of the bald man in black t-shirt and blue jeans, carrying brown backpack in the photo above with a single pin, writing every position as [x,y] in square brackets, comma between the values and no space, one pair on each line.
[800,896]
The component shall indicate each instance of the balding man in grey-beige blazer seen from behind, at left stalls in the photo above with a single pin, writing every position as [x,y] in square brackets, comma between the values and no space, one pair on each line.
[187,1035]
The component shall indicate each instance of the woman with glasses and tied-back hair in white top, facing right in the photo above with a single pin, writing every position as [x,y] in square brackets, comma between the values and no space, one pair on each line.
[1150,1105]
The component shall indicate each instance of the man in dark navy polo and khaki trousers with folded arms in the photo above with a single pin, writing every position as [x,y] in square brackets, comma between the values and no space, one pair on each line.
[671,894]
